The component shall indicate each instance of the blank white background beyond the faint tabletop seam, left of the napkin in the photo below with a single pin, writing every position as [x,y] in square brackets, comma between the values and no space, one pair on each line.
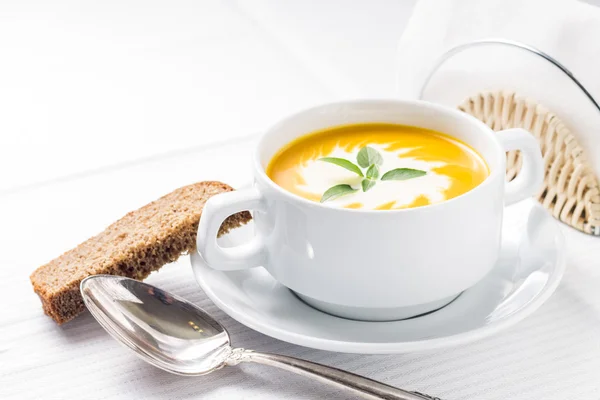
[89,84]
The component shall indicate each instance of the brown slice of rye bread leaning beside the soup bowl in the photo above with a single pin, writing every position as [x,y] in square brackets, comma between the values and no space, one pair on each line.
[139,243]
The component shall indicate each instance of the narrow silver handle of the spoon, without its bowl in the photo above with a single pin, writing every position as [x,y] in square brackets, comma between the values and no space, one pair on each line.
[364,387]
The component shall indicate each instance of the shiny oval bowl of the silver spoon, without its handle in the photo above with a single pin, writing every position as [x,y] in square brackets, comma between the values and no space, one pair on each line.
[165,330]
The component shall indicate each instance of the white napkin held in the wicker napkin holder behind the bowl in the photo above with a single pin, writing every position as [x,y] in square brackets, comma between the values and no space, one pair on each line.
[568,30]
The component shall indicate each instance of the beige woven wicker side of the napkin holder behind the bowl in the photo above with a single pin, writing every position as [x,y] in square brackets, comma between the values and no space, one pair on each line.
[571,191]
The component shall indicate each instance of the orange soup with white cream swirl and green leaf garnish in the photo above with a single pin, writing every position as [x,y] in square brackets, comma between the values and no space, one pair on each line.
[425,167]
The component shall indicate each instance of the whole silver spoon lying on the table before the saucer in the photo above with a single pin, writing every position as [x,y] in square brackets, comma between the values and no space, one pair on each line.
[175,335]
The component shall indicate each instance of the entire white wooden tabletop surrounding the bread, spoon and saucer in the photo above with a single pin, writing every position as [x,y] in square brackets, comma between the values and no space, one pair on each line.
[105,107]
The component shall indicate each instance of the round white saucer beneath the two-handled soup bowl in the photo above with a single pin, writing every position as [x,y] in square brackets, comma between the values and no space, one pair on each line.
[528,272]
